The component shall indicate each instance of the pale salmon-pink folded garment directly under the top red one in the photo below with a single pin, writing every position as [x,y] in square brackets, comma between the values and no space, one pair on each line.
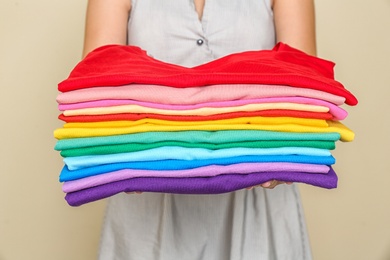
[193,95]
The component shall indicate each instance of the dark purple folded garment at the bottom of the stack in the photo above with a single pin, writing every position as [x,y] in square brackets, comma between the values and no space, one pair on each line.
[198,185]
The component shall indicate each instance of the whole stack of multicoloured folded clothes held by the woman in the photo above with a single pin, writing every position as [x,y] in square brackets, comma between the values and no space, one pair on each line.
[133,123]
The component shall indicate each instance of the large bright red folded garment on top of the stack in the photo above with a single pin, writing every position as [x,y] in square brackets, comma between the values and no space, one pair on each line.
[283,65]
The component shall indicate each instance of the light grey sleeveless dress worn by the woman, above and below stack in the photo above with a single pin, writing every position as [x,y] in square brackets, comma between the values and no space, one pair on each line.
[242,225]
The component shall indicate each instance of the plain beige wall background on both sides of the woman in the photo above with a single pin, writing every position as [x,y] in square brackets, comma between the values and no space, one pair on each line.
[40,41]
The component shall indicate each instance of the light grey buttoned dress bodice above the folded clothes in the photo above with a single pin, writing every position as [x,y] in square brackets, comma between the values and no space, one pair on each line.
[171,31]
